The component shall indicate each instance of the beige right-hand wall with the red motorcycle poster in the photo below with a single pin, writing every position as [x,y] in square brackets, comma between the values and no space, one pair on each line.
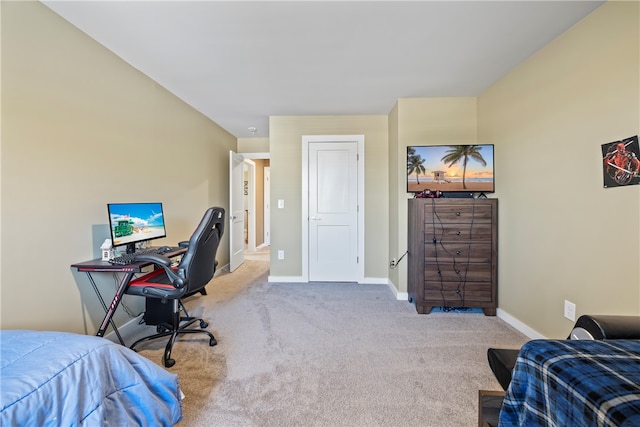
[561,234]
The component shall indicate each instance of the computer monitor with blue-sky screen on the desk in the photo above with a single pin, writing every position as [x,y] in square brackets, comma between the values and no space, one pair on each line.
[132,223]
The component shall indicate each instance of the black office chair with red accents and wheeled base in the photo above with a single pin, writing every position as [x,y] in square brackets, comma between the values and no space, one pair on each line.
[195,270]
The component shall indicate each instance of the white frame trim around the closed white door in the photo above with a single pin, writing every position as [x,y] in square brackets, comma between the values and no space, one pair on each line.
[306,140]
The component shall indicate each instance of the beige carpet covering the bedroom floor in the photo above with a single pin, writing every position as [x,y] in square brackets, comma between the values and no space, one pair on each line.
[329,354]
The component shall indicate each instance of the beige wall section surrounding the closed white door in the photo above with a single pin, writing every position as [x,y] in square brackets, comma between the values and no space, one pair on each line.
[286,174]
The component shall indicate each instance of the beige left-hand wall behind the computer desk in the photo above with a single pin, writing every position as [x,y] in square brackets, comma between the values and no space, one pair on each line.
[81,128]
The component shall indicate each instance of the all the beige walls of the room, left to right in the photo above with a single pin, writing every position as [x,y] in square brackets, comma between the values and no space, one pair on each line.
[71,111]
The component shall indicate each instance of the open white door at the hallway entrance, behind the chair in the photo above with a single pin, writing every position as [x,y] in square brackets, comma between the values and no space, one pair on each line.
[236,206]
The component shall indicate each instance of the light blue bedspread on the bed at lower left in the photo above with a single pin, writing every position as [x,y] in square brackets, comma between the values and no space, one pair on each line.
[65,379]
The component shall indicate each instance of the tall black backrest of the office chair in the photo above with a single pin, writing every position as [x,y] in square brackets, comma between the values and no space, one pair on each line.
[198,264]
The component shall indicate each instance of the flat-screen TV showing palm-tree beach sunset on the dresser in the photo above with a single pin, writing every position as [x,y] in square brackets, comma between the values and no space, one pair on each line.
[453,168]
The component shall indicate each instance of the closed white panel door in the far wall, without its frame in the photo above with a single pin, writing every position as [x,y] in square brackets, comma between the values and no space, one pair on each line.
[333,211]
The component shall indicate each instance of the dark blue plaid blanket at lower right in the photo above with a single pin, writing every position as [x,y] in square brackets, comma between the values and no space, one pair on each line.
[573,383]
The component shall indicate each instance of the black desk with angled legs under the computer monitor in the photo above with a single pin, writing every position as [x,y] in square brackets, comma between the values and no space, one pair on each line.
[99,266]
